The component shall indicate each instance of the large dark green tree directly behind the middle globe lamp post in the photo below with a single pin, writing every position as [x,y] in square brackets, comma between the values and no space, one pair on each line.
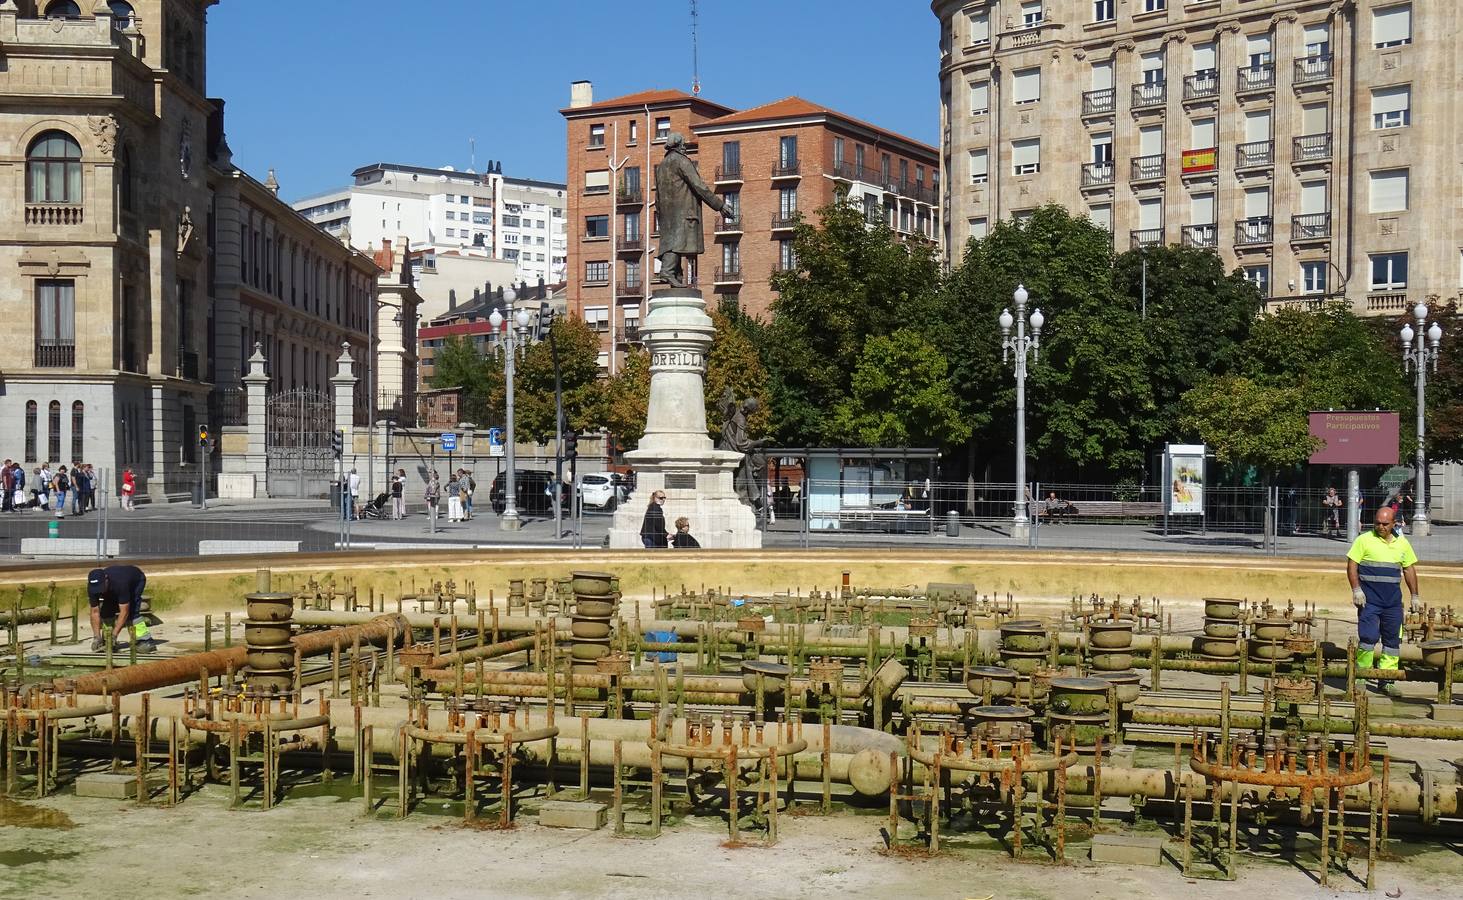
[1091,408]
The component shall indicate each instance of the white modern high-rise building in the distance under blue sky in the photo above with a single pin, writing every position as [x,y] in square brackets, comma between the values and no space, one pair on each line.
[450,211]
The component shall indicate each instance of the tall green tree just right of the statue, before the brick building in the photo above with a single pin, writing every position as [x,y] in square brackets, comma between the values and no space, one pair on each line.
[852,282]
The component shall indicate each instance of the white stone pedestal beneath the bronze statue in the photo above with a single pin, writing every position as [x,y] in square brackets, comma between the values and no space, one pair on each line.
[677,454]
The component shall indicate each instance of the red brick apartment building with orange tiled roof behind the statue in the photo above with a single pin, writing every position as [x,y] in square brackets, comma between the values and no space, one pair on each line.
[773,163]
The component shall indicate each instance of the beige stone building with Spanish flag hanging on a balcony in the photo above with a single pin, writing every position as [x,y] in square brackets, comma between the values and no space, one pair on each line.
[1295,138]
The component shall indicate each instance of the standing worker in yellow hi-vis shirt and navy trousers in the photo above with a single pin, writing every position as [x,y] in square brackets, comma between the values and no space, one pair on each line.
[1377,566]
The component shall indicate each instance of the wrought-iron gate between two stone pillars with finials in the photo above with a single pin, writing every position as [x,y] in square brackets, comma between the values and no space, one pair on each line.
[298,444]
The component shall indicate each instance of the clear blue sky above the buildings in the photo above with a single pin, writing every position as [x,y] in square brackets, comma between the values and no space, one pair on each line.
[318,89]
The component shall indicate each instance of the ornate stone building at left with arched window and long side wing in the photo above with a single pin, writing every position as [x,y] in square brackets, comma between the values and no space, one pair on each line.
[137,264]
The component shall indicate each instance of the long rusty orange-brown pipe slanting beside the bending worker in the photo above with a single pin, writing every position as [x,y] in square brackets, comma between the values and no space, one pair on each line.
[176,671]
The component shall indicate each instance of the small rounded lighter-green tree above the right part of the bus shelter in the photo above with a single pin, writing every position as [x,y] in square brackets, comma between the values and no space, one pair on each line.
[902,397]
